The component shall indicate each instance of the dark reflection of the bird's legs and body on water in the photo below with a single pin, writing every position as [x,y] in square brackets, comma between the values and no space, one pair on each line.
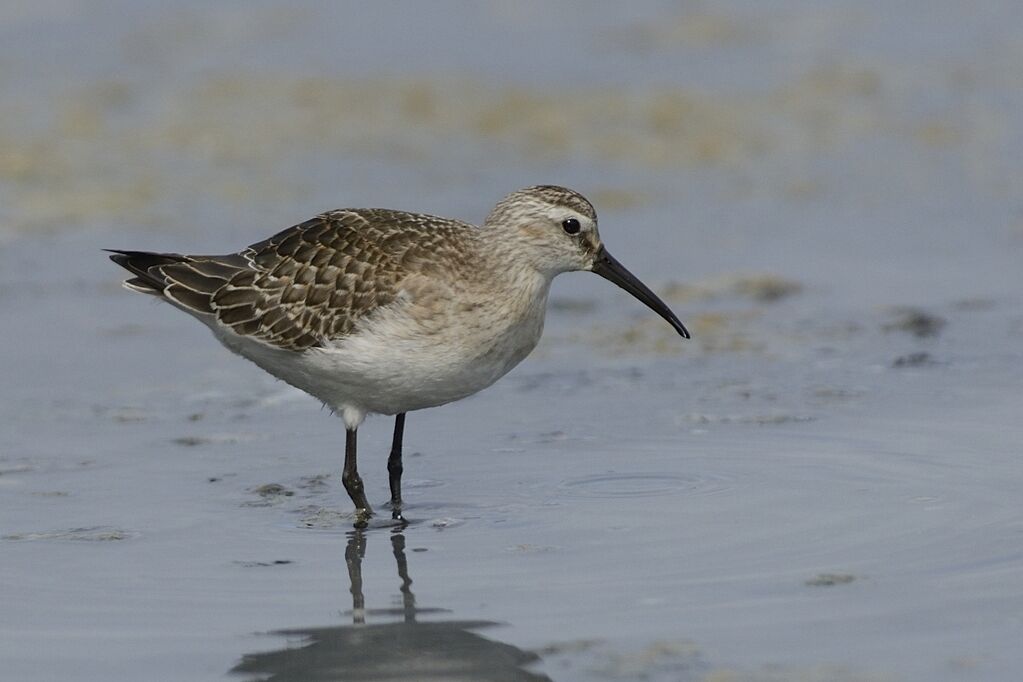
[399,650]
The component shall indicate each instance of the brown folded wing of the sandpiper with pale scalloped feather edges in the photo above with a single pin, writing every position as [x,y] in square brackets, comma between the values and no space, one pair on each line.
[313,283]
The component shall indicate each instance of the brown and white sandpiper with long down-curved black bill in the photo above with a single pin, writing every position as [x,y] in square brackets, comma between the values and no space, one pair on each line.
[382,311]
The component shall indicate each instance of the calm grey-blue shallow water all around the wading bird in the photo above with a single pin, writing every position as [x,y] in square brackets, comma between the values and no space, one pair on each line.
[823,485]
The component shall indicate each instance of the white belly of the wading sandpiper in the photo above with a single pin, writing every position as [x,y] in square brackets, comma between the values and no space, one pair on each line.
[397,363]
